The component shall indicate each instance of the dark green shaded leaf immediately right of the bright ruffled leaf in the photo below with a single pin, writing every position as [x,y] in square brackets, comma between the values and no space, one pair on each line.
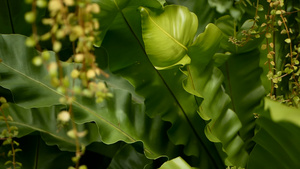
[242,74]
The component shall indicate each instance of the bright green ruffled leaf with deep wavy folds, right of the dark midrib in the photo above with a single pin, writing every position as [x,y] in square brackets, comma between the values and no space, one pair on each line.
[206,80]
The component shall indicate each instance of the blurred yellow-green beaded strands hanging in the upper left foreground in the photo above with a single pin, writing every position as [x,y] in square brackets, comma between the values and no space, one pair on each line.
[71,21]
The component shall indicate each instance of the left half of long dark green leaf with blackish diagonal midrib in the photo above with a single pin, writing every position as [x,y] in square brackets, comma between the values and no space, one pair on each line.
[127,57]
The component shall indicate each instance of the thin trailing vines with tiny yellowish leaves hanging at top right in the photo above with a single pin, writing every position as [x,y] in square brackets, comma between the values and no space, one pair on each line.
[282,63]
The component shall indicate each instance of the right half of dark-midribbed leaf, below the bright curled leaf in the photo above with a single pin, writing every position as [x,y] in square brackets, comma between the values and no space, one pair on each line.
[174,78]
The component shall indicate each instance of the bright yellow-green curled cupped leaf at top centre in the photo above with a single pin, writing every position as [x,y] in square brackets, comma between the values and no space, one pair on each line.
[168,34]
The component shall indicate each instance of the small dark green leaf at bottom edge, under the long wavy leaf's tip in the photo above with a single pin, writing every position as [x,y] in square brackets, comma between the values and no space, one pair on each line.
[128,158]
